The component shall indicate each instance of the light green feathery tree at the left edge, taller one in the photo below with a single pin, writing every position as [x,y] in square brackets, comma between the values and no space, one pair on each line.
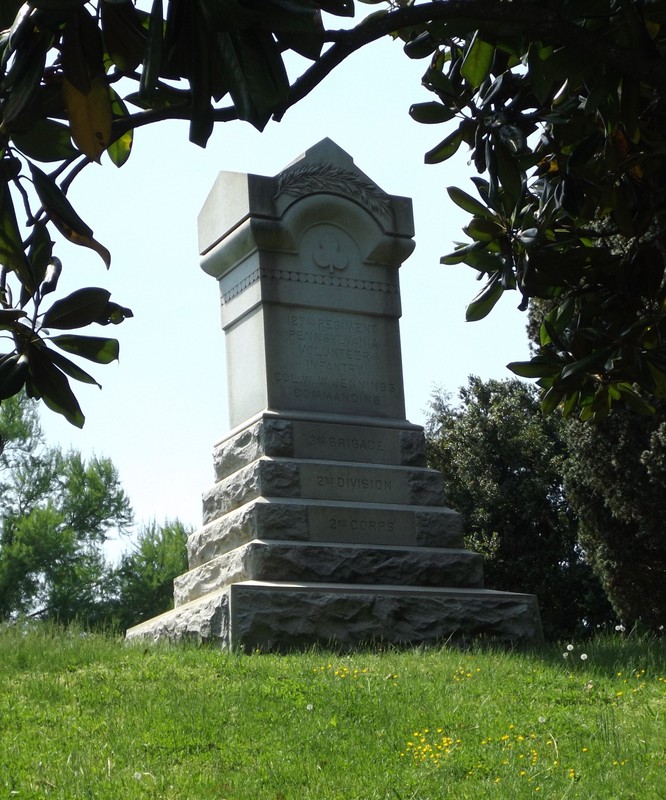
[56,512]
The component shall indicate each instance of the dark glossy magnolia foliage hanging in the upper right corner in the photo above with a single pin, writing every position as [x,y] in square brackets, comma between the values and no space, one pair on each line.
[562,107]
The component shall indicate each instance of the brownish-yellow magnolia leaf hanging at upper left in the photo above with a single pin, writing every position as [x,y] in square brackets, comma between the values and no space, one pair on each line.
[90,116]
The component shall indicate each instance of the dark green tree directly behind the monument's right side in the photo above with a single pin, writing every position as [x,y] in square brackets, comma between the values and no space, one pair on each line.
[503,462]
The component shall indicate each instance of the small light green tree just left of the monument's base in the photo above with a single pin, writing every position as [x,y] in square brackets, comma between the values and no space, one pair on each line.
[145,575]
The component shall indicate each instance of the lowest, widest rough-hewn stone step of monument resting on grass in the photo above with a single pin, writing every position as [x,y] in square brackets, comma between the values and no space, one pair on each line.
[261,615]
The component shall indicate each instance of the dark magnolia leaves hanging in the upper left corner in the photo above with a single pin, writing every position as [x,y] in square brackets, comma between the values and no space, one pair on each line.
[67,71]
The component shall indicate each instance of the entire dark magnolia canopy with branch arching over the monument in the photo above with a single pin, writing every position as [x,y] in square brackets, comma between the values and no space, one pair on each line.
[561,104]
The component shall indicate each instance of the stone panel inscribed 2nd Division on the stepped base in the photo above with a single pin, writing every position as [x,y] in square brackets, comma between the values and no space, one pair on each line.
[332,482]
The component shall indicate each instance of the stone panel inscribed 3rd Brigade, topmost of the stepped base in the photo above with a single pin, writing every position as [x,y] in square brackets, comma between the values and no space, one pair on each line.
[346,443]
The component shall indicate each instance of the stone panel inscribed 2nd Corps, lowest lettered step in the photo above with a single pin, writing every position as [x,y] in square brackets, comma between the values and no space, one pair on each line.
[332,524]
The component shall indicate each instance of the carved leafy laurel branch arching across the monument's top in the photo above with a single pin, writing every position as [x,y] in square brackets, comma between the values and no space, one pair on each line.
[311,178]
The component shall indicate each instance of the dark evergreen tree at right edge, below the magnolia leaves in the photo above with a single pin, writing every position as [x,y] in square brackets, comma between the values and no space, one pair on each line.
[615,478]
